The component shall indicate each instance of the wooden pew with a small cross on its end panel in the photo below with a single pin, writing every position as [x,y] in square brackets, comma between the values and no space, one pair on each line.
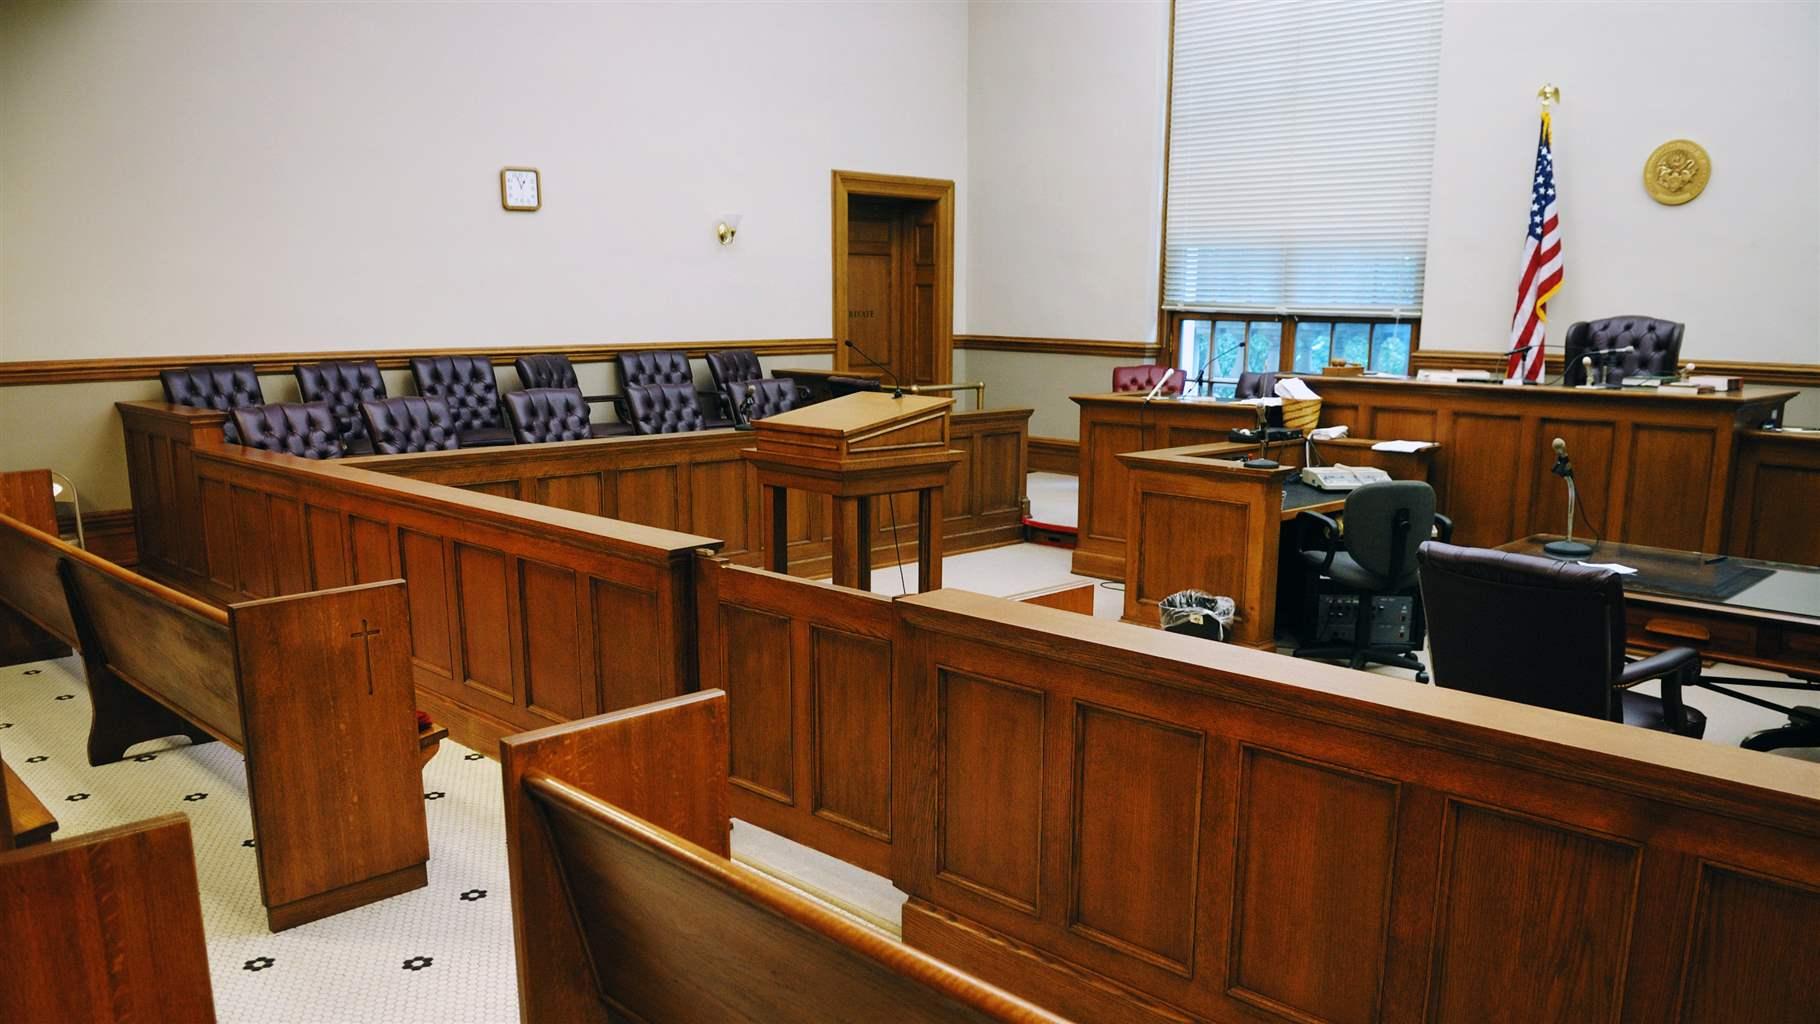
[316,690]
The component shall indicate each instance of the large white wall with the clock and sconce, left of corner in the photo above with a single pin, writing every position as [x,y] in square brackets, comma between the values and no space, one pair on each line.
[187,179]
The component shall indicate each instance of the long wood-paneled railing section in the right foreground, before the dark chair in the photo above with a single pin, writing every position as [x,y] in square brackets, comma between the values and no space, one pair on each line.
[1291,841]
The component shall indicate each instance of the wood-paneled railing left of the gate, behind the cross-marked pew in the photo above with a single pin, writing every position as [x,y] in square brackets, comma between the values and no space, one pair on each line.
[520,614]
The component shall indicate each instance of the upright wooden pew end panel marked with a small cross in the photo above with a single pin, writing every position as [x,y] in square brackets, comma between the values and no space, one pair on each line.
[336,778]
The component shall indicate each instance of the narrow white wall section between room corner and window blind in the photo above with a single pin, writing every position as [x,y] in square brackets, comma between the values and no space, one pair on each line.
[1066,168]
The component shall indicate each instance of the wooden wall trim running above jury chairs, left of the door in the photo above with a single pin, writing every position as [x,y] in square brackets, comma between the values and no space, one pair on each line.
[148,368]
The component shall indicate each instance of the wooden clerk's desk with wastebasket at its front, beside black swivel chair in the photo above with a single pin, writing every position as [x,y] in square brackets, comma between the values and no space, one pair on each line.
[1200,519]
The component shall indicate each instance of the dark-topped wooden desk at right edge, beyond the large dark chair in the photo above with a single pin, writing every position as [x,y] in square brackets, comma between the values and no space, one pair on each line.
[1739,610]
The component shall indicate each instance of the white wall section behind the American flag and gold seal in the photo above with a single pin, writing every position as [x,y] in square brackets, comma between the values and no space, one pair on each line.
[1741,265]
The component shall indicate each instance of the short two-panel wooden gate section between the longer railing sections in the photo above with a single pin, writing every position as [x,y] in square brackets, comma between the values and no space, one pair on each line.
[809,678]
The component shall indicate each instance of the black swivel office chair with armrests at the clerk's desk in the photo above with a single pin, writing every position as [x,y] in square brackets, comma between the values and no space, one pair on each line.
[1371,561]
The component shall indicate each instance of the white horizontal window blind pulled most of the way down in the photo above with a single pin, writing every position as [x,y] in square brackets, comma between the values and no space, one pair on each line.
[1300,150]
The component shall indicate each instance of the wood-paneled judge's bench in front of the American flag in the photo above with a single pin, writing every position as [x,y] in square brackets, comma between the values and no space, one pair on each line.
[1652,468]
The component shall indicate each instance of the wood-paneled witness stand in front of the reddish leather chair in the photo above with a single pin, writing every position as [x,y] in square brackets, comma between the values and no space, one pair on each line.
[1115,425]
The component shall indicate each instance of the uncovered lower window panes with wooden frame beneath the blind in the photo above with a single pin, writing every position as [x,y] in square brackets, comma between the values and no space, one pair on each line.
[1209,346]
